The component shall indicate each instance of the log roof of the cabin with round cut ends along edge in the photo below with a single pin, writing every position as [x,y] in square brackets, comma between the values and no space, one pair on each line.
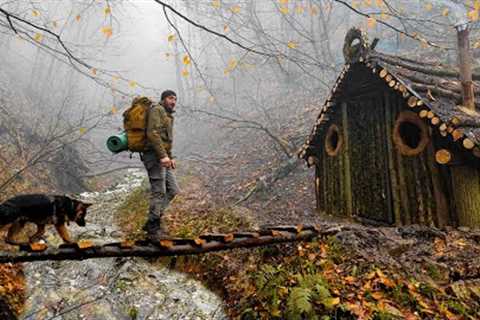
[430,89]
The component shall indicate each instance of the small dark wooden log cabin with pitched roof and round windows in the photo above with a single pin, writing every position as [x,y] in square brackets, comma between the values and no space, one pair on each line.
[394,144]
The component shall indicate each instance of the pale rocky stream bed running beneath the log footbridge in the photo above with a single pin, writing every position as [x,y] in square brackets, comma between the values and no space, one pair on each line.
[113,288]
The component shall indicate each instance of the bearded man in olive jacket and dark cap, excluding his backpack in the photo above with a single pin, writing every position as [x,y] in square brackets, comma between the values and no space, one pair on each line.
[159,163]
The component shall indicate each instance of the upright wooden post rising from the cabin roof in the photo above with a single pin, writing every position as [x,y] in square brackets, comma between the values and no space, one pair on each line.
[465,65]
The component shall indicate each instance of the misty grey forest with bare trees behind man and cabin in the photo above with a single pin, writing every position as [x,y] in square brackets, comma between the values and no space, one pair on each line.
[250,75]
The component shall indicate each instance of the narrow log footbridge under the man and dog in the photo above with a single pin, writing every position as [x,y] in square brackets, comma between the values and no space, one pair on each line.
[86,249]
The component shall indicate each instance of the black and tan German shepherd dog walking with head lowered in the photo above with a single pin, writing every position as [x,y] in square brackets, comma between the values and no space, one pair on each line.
[41,209]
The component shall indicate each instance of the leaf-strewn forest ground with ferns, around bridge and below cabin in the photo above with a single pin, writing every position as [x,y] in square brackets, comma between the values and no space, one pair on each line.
[359,273]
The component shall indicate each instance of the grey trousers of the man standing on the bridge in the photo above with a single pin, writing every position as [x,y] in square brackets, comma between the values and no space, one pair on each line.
[163,188]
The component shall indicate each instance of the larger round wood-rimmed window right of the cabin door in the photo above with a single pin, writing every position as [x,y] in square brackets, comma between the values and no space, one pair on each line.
[410,134]
